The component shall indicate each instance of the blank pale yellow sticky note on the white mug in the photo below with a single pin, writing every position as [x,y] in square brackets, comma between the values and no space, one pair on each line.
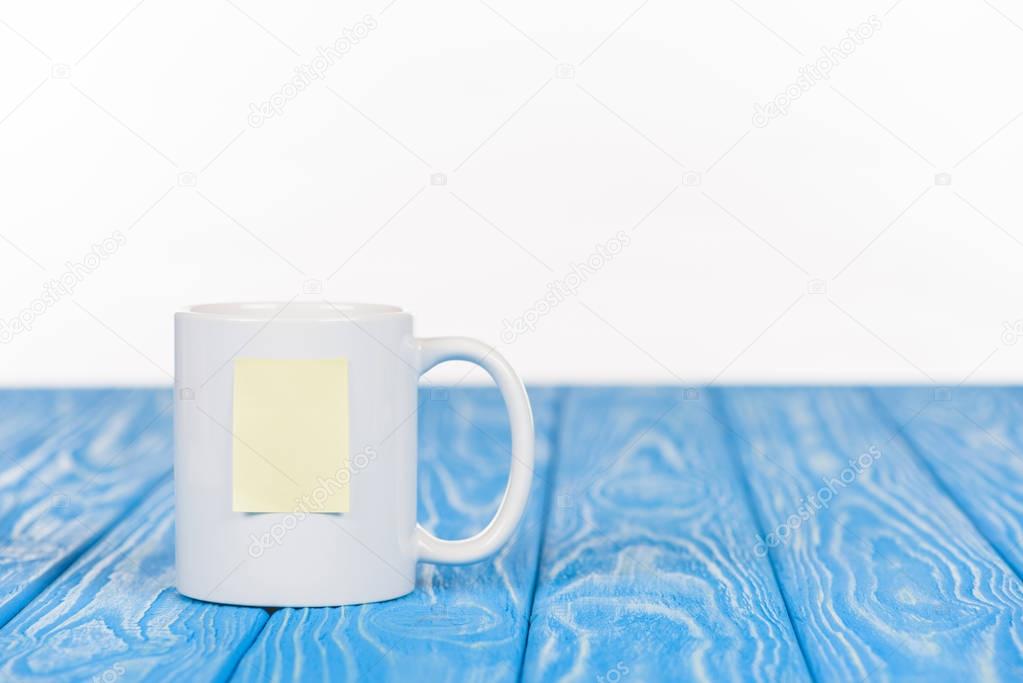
[290,448]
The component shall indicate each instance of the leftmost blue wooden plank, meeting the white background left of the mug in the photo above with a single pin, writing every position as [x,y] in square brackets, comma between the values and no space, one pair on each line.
[74,464]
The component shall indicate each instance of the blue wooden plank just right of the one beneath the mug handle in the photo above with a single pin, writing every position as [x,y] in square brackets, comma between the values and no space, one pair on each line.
[649,571]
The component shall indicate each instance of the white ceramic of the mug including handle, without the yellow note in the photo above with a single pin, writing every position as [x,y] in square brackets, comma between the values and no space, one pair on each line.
[304,557]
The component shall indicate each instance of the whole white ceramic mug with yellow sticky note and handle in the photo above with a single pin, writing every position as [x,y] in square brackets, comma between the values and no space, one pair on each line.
[271,397]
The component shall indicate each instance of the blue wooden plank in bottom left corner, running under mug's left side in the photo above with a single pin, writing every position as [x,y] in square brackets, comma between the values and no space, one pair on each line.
[115,615]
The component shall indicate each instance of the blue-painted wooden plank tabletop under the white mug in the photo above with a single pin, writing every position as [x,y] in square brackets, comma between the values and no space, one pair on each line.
[672,536]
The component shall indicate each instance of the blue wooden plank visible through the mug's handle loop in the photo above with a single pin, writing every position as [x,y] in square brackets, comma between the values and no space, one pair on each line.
[462,623]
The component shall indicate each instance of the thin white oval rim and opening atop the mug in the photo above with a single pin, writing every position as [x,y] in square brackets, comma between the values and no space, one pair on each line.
[293,310]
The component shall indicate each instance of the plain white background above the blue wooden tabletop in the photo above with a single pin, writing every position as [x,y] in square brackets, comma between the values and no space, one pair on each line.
[556,125]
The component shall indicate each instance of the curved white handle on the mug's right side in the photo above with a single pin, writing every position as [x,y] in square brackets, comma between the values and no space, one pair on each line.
[432,550]
